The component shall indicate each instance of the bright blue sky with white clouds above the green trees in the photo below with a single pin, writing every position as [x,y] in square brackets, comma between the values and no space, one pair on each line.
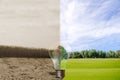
[90,24]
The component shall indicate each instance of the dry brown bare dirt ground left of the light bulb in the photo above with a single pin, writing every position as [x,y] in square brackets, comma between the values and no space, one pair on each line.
[26,69]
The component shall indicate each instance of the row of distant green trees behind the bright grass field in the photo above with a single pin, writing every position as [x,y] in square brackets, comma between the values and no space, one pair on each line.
[95,54]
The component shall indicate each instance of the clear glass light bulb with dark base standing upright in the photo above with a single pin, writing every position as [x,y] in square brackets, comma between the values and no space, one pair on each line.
[57,56]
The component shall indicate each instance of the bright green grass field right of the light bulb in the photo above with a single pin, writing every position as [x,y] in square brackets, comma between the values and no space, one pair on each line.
[92,69]
